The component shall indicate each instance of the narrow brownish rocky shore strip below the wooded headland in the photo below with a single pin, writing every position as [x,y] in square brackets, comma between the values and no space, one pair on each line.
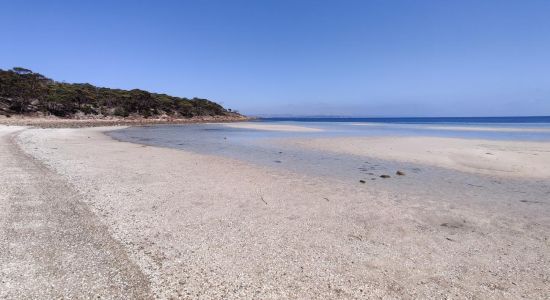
[82,123]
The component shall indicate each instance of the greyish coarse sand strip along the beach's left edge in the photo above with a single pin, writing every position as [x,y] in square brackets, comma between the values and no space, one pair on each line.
[52,246]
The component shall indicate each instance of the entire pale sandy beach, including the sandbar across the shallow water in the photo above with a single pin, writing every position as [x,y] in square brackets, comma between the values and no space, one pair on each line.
[86,215]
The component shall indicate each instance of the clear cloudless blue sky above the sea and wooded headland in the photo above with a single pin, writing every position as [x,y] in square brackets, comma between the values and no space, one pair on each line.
[291,57]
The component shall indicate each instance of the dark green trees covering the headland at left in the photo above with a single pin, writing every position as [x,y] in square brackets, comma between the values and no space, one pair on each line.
[25,92]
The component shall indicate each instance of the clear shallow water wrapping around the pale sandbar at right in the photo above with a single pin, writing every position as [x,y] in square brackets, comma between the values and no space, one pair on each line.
[265,149]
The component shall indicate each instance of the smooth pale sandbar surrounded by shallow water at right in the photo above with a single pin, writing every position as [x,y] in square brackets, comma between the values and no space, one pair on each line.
[503,158]
